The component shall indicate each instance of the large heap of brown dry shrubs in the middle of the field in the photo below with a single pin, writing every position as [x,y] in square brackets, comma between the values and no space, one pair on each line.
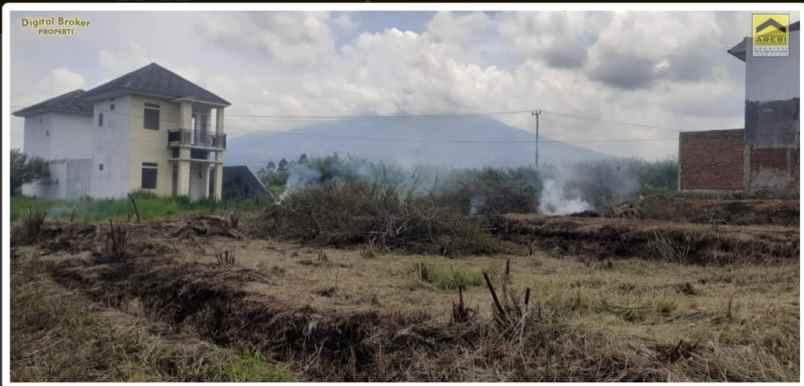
[341,214]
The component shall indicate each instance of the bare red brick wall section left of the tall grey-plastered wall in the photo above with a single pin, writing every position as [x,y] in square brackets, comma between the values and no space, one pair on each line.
[711,160]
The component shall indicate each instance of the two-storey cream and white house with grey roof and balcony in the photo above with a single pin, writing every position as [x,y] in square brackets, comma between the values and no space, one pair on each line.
[149,130]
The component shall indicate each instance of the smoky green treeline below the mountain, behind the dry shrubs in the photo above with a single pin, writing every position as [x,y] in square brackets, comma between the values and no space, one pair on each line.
[479,190]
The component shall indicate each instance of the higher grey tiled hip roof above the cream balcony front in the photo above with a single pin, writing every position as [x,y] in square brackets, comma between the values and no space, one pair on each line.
[156,80]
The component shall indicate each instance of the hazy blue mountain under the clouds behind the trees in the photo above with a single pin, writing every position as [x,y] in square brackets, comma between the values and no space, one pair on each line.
[467,141]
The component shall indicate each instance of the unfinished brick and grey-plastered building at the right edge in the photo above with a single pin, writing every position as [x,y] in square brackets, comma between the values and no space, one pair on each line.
[764,155]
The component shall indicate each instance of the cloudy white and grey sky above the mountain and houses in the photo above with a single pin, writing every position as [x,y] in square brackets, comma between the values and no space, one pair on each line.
[669,70]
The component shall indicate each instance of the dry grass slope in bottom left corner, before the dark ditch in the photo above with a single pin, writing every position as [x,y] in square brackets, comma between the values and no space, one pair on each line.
[59,335]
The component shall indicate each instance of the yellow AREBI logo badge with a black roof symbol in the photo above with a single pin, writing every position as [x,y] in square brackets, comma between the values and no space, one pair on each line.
[771,34]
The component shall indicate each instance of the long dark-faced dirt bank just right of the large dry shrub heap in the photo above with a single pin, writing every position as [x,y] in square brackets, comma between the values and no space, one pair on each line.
[689,243]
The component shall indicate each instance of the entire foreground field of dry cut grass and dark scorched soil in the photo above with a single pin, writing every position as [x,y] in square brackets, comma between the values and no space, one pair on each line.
[573,299]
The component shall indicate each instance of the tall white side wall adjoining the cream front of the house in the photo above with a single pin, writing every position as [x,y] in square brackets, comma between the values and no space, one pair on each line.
[110,149]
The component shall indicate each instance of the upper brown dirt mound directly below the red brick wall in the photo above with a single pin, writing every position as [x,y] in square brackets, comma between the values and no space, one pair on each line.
[710,211]
